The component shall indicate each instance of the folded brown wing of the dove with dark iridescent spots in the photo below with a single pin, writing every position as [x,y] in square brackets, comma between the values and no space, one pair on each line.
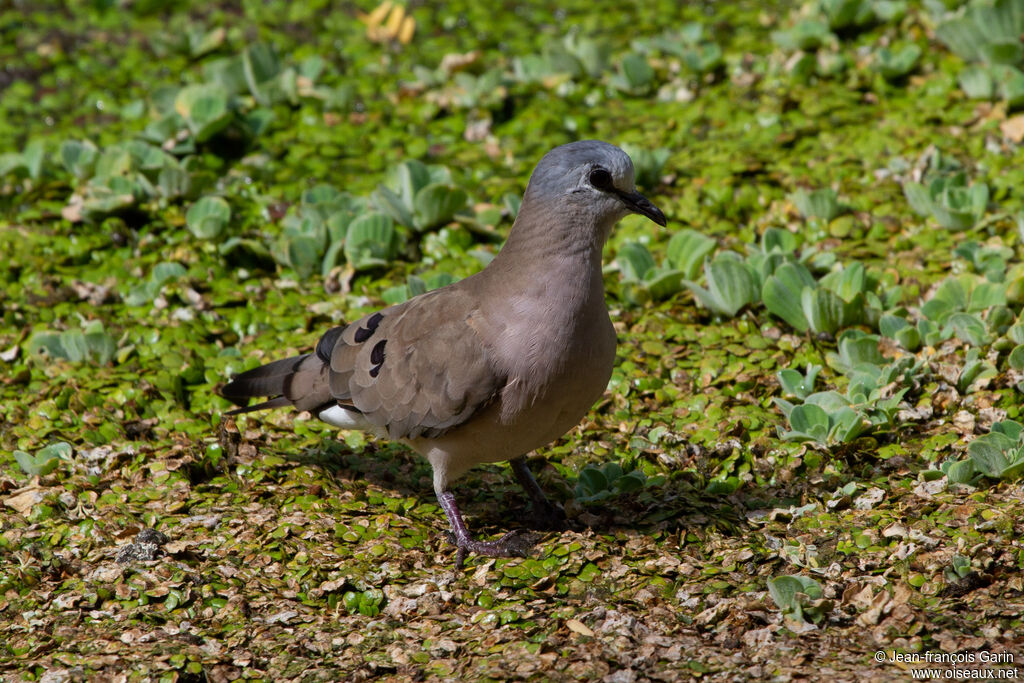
[417,369]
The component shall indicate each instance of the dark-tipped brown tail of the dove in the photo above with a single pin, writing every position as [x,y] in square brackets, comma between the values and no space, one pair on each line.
[301,381]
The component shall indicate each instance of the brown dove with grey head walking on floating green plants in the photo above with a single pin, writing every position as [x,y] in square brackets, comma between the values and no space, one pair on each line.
[494,366]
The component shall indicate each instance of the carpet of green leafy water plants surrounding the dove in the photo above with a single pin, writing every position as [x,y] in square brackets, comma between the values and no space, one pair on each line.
[812,449]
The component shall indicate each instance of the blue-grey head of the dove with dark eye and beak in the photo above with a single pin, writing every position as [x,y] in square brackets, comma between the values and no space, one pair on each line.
[593,178]
